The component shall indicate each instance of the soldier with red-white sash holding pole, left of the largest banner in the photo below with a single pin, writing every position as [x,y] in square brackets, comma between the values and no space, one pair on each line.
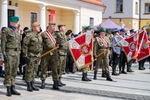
[49,43]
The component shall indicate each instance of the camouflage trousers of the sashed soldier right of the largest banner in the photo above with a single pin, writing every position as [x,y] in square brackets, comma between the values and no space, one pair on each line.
[105,58]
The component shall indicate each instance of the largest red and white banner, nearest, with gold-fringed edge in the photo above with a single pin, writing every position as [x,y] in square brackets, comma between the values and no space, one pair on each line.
[81,49]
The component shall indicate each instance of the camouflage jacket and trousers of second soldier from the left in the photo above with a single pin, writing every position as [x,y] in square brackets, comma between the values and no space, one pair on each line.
[32,48]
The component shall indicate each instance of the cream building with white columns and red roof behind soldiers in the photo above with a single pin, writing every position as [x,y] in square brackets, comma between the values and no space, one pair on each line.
[74,13]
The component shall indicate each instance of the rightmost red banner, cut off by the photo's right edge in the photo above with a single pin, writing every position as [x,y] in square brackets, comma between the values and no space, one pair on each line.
[144,48]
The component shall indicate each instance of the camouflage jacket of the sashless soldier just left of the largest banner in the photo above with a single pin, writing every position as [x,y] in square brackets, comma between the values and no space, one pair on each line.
[62,39]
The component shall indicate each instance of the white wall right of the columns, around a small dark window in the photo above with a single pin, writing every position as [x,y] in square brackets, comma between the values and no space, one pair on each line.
[87,13]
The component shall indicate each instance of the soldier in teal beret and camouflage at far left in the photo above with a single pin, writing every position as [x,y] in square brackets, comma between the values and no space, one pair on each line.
[11,50]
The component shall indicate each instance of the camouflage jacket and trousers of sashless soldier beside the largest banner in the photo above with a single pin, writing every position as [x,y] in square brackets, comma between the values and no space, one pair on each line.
[62,52]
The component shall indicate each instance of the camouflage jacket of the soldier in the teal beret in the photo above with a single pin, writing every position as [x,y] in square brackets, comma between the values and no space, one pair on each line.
[10,42]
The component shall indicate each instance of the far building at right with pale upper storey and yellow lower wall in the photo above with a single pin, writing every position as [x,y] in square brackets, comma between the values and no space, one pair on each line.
[133,13]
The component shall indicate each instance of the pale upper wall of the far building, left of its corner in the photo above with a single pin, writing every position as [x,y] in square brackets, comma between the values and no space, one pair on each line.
[111,9]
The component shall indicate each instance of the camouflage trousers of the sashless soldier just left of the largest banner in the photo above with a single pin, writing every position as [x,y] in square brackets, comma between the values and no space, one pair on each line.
[62,65]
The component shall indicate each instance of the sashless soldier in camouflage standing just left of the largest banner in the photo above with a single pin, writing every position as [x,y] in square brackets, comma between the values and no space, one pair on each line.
[62,51]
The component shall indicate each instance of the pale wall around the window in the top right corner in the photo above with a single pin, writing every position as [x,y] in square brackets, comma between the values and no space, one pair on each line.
[143,15]
